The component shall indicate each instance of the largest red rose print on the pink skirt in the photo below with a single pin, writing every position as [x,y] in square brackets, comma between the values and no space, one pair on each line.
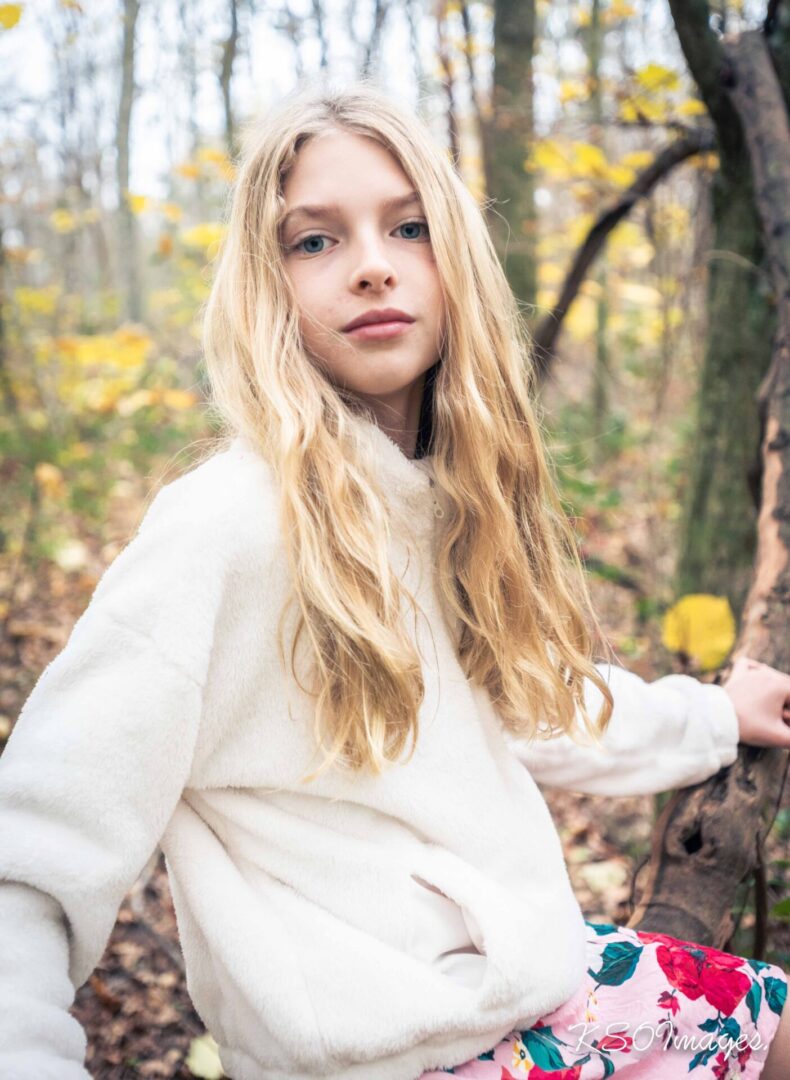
[699,971]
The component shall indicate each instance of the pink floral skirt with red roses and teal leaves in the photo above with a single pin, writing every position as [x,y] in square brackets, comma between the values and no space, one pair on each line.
[650,1008]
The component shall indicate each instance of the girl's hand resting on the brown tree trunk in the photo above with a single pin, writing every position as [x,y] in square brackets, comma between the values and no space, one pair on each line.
[761,696]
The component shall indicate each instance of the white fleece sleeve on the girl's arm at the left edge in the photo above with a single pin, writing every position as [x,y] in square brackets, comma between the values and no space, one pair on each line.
[92,774]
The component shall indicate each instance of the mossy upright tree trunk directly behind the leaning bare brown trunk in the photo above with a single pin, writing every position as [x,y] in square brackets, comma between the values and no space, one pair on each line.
[717,547]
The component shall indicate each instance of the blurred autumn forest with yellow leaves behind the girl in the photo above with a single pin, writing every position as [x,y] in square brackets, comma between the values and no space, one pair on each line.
[619,192]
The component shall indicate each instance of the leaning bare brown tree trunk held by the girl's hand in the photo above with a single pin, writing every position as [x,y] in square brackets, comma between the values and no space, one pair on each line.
[713,834]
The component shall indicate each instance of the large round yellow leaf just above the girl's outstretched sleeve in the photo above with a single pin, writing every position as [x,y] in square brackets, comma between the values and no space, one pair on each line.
[702,627]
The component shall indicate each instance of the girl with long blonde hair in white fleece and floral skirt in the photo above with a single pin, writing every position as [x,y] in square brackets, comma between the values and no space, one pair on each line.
[324,673]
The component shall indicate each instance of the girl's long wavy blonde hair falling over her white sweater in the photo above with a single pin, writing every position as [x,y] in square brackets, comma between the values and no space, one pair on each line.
[508,566]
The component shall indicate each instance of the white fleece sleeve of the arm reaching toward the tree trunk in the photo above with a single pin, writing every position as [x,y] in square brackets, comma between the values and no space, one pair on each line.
[667,734]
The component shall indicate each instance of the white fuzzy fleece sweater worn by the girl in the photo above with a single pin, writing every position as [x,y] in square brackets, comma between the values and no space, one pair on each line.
[310,914]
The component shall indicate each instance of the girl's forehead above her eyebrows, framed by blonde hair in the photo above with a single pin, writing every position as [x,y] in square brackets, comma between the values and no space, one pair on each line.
[344,166]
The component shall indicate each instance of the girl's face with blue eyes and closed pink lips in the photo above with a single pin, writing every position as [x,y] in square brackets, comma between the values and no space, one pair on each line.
[356,241]
